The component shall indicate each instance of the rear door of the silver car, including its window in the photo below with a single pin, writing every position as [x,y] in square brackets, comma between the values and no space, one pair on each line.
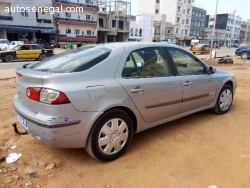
[148,81]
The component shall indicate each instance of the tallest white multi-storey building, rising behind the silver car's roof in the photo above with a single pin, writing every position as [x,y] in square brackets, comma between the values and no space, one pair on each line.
[177,15]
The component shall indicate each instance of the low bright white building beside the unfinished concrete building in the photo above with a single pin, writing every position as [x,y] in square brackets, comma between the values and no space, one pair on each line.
[142,28]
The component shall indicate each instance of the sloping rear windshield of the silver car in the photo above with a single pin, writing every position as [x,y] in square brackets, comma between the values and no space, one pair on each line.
[76,60]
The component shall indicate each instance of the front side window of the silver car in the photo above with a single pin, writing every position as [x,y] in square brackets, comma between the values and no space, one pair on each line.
[186,64]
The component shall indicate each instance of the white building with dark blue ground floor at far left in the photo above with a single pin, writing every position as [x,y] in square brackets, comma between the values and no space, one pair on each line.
[22,20]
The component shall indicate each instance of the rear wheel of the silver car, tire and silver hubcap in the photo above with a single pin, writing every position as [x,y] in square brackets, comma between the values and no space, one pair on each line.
[110,135]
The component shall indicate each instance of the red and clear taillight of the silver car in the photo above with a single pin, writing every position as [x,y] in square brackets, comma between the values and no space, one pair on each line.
[48,96]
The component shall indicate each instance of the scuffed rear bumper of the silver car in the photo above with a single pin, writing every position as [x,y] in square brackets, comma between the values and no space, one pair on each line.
[69,130]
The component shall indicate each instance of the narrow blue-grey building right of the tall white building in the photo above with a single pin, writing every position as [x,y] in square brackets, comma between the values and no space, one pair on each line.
[198,23]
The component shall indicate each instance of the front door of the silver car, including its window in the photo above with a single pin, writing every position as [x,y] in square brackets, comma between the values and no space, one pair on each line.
[199,87]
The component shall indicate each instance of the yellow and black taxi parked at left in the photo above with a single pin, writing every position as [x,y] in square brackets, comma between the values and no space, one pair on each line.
[27,51]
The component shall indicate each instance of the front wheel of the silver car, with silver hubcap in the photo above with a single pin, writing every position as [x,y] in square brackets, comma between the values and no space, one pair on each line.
[224,100]
